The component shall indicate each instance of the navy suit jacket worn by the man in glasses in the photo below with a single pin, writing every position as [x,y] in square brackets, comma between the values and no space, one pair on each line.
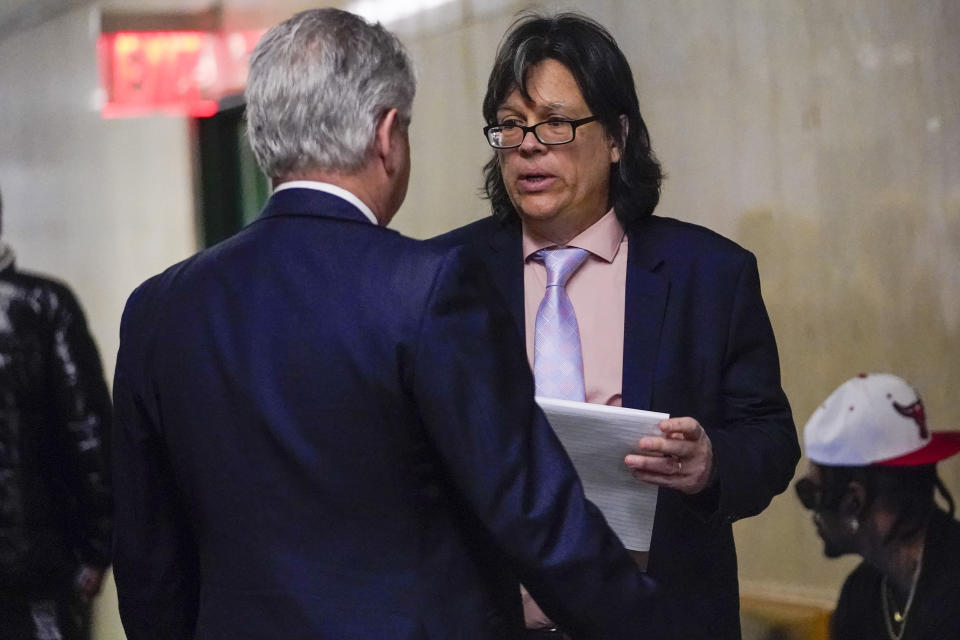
[697,342]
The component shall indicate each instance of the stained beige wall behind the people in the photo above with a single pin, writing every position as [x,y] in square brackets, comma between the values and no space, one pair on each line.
[821,135]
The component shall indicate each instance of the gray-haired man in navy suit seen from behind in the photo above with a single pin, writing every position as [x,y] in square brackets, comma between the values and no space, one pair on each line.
[327,430]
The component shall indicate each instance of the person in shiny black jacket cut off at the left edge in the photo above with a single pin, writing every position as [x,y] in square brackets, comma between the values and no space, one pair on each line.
[55,504]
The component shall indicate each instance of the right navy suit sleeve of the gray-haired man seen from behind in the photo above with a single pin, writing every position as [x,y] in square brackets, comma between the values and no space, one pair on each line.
[475,394]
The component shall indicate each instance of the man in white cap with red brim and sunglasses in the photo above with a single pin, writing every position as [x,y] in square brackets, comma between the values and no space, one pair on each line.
[871,486]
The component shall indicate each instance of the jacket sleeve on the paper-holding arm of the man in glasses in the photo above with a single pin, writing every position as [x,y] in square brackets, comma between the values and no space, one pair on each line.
[756,452]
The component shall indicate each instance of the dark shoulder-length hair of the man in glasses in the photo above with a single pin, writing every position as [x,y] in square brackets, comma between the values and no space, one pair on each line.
[606,82]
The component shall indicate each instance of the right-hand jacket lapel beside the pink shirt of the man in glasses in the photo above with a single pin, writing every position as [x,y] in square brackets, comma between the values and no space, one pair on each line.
[645,304]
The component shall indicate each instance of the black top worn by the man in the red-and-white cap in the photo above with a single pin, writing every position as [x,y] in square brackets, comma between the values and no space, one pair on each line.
[935,611]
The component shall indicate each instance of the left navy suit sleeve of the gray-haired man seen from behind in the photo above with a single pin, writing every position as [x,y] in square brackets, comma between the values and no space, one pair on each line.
[155,559]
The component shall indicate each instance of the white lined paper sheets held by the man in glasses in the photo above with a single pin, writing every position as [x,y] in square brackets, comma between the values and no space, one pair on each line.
[597,439]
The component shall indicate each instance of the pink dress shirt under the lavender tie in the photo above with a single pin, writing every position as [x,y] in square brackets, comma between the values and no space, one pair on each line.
[597,290]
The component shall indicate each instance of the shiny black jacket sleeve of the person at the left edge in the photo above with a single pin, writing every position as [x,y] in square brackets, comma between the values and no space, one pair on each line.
[83,417]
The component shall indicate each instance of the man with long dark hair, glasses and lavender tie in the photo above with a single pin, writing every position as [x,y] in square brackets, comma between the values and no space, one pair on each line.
[629,308]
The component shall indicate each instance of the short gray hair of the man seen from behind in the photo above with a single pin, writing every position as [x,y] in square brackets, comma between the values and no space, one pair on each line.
[318,85]
